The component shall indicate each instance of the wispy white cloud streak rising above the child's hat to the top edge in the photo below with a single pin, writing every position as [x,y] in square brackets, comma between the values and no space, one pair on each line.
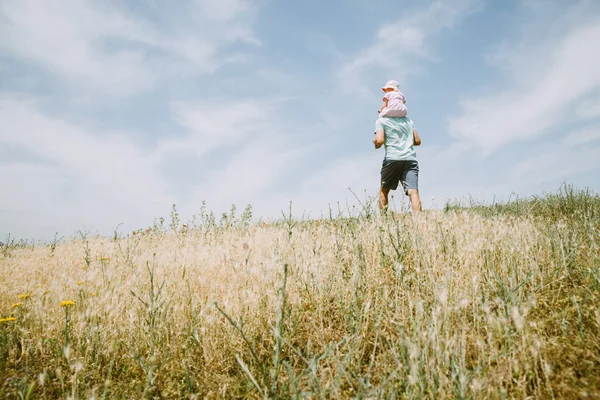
[400,46]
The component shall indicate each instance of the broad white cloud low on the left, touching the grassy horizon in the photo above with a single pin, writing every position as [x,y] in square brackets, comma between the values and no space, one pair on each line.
[76,177]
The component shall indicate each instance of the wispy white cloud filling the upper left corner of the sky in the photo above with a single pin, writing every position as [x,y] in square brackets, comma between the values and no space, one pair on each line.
[99,47]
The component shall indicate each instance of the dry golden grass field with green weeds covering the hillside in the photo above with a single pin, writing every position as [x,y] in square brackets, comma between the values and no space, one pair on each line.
[478,301]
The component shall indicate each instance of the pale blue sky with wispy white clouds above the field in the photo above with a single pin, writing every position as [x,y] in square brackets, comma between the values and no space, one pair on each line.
[113,111]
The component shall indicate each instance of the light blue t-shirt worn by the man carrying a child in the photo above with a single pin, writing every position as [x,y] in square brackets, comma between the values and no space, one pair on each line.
[399,139]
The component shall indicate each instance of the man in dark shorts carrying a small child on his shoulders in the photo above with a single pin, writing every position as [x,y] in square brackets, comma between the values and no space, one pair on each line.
[399,137]
